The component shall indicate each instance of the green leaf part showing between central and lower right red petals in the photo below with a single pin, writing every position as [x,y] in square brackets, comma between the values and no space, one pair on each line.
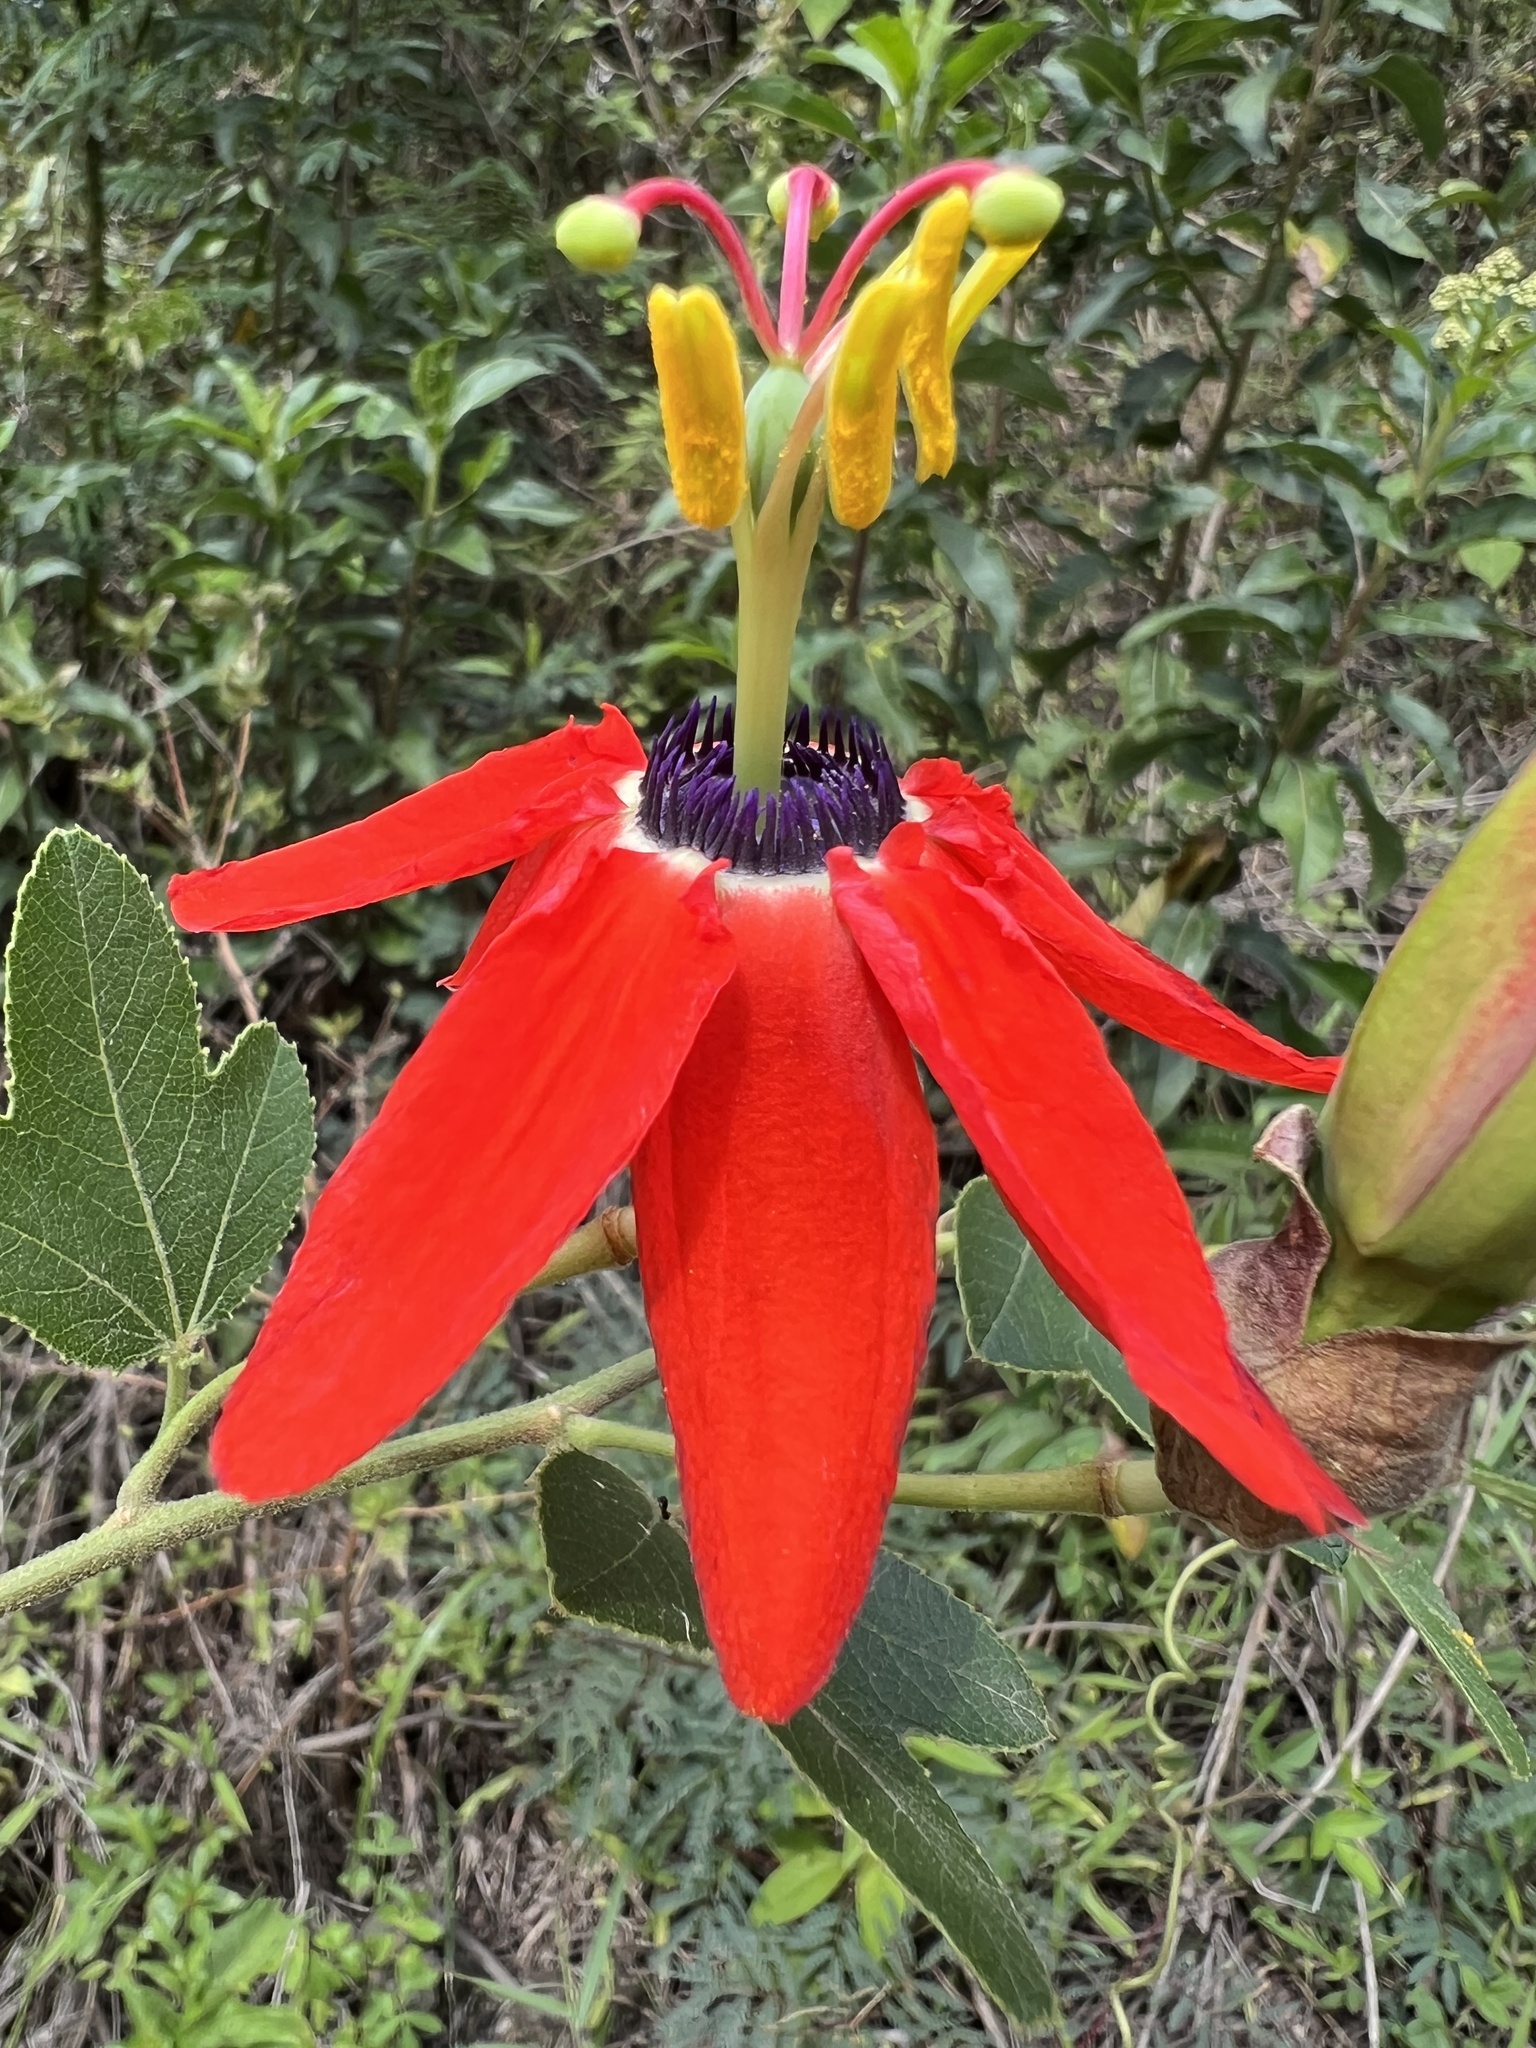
[1017,1316]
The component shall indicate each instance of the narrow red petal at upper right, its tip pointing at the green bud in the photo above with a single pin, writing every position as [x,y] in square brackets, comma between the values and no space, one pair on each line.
[1101,964]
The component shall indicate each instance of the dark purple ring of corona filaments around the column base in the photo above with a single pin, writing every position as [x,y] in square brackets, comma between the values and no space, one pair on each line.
[837,790]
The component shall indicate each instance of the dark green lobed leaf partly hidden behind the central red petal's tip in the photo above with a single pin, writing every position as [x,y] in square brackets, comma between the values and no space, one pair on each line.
[916,1662]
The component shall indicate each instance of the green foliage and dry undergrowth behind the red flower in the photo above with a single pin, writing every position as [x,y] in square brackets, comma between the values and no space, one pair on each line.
[318,476]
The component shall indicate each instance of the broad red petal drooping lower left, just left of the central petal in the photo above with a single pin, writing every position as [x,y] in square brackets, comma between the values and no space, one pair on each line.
[531,1091]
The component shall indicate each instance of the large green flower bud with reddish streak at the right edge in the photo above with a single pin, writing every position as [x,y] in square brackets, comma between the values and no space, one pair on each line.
[1431,1136]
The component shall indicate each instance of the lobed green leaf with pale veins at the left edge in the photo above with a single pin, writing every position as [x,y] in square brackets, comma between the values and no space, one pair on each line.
[142,1193]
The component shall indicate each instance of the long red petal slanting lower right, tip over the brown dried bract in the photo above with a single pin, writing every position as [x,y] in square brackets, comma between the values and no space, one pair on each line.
[1068,1150]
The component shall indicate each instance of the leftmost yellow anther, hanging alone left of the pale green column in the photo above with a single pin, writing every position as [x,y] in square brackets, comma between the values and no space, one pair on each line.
[703,413]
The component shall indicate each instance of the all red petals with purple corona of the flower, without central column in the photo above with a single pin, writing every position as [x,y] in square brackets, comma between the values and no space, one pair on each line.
[722,990]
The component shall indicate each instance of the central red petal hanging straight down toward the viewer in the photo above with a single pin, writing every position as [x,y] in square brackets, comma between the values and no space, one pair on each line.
[785,1207]
